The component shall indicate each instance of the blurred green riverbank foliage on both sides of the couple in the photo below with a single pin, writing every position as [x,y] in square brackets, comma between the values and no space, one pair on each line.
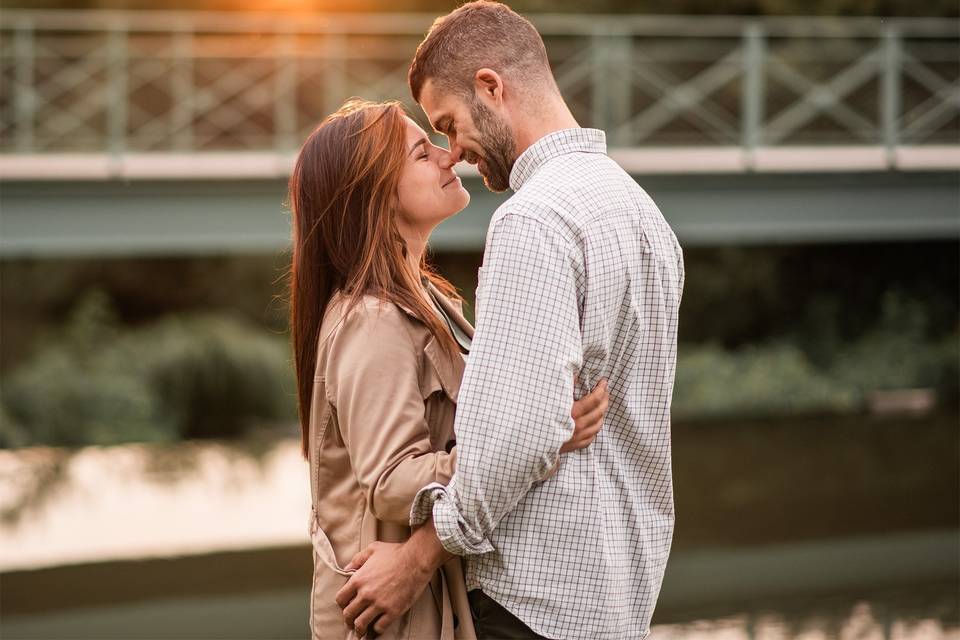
[206,375]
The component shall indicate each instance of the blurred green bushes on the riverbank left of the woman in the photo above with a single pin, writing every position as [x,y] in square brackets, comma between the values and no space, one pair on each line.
[182,377]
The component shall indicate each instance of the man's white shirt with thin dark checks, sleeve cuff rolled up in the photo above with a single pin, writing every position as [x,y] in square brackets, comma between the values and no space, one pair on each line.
[582,276]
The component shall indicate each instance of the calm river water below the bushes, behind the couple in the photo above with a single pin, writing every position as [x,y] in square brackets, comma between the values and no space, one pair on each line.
[207,540]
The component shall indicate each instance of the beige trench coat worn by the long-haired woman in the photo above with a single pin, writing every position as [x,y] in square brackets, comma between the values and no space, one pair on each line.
[381,428]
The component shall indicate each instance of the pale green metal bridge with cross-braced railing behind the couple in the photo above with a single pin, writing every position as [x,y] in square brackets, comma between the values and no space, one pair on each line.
[164,133]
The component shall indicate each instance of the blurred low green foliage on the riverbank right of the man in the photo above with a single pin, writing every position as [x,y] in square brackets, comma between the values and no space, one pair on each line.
[783,378]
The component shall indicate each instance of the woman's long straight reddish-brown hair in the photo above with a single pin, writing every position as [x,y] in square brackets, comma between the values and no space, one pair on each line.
[343,200]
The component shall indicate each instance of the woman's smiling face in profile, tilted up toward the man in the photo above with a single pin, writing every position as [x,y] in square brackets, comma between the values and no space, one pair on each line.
[429,191]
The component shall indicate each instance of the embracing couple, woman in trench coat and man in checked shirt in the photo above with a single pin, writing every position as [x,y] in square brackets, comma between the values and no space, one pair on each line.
[462,486]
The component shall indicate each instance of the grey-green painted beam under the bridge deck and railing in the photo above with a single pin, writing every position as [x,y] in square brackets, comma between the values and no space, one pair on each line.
[105,218]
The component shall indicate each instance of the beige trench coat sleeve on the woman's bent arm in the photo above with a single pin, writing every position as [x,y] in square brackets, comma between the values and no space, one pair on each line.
[373,383]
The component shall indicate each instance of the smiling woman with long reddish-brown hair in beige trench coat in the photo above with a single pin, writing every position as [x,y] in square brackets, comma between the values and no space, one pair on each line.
[379,345]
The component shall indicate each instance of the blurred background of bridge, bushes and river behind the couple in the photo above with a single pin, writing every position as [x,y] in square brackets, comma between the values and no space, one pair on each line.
[151,481]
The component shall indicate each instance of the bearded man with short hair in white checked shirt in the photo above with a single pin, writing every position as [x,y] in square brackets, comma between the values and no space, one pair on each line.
[583,276]
